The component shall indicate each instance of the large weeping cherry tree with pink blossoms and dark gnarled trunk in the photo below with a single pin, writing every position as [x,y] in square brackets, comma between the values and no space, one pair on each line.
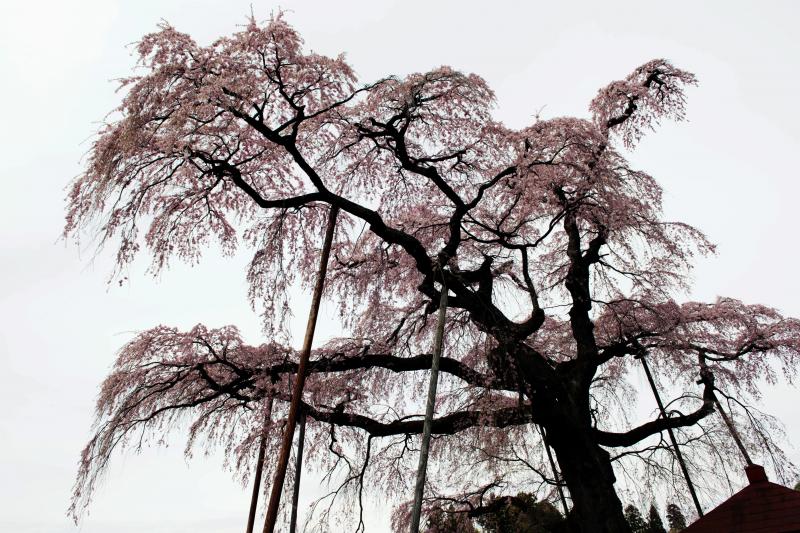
[559,264]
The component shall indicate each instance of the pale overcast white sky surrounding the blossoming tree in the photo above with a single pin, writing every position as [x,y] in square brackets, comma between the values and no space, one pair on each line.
[730,170]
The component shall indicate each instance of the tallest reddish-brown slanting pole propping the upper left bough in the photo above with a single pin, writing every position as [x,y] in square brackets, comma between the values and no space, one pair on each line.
[294,406]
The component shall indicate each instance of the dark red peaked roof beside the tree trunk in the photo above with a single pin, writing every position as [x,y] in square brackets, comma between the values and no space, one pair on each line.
[760,507]
